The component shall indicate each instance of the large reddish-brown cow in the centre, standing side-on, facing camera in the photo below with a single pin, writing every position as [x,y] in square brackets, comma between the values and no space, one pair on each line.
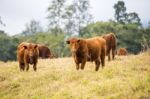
[93,49]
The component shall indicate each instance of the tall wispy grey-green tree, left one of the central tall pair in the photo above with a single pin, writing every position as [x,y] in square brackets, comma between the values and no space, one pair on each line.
[56,10]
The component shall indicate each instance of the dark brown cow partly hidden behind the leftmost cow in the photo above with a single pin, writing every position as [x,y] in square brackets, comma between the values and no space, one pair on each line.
[44,51]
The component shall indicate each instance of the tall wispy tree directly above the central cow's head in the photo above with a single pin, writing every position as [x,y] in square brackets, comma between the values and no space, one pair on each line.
[82,17]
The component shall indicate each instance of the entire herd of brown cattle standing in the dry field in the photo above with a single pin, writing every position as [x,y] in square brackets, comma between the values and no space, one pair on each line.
[83,50]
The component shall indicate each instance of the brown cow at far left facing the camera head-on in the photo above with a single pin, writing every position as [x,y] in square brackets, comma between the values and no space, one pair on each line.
[27,53]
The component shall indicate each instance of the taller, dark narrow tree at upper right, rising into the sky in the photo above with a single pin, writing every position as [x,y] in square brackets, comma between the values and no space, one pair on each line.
[120,12]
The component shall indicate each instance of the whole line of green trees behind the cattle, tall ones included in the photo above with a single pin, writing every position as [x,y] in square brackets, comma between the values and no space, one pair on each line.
[73,19]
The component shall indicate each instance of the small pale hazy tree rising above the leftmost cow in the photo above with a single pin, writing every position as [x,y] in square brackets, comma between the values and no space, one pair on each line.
[32,28]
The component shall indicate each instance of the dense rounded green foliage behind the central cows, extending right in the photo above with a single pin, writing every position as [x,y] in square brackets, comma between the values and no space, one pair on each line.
[128,35]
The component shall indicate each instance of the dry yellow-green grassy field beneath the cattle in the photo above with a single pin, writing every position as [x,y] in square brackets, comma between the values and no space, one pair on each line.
[128,77]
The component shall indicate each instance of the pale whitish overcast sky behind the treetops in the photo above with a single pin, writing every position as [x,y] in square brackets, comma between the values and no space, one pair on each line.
[16,13]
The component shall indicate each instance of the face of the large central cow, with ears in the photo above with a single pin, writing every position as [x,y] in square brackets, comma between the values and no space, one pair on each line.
[74,44]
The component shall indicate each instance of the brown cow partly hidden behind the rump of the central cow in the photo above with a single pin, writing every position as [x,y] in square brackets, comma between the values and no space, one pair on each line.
[111,44]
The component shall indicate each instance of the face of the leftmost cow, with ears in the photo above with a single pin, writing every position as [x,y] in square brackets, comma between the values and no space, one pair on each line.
[32,49]
